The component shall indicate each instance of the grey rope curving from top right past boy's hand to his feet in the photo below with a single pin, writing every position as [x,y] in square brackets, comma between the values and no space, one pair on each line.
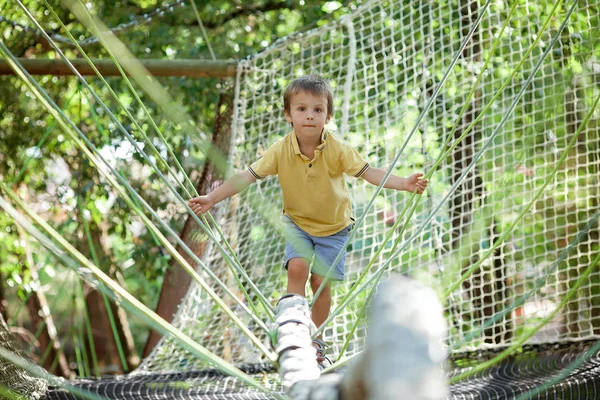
[378,274]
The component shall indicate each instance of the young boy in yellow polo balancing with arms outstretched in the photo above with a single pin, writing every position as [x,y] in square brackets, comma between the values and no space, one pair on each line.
[310,163]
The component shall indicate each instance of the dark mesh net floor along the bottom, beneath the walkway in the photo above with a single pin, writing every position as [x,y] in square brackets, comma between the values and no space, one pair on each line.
[513,377]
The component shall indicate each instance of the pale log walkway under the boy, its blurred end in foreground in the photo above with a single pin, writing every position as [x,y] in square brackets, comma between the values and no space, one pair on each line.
[402,360]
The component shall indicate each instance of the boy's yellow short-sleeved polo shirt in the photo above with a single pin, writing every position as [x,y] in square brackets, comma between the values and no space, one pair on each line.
[314,191]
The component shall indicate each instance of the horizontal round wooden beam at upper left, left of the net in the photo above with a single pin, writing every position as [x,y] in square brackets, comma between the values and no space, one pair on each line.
[188,68]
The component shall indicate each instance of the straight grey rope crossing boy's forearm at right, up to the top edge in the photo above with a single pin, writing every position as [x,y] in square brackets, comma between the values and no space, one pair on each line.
[399,153]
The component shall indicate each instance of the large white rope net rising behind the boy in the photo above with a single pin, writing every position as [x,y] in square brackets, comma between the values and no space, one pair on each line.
[384,62]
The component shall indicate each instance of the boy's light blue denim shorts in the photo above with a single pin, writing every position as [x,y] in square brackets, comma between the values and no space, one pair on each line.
[300,244]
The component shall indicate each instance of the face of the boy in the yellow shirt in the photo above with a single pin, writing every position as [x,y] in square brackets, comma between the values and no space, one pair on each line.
[308,114]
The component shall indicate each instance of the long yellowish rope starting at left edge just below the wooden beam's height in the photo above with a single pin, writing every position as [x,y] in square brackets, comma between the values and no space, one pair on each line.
[73,131]
